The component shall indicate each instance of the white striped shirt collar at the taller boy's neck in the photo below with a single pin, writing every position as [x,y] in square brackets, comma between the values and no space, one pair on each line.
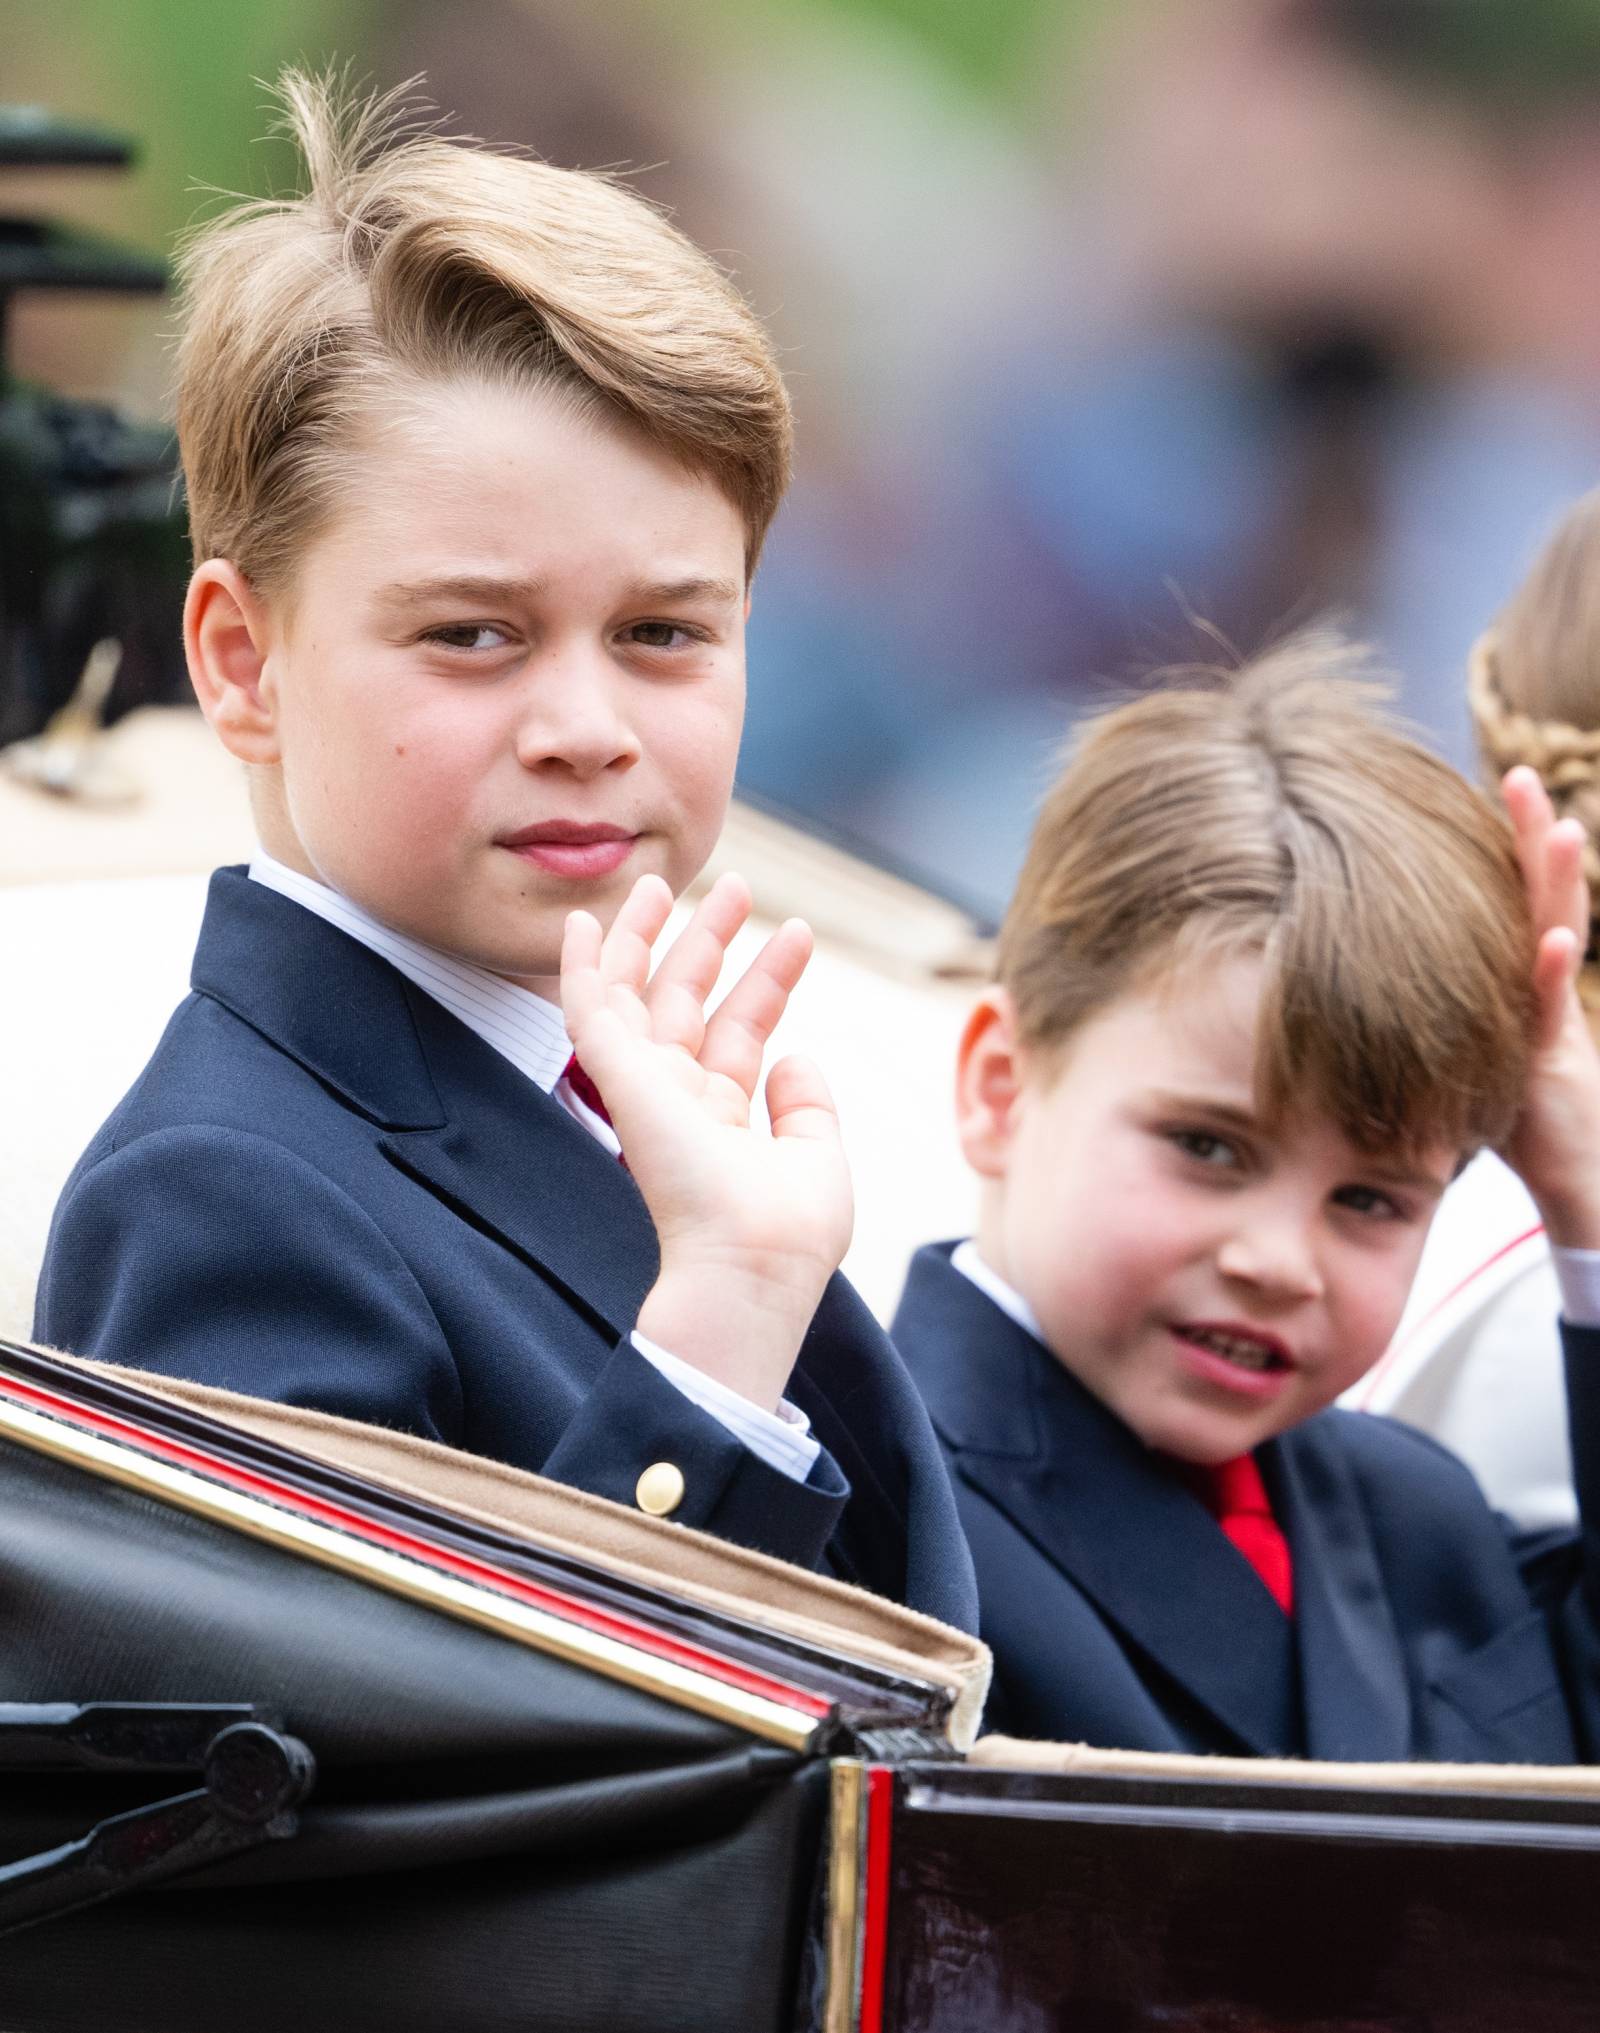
[515,1022]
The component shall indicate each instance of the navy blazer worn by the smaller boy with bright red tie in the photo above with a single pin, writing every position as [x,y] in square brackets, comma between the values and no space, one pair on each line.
[1121,1615]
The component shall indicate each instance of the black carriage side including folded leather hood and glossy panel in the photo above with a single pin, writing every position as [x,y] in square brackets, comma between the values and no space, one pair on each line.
[308,1727]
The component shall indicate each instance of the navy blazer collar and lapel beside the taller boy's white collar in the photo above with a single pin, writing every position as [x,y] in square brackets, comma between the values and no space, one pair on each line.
[454,1115]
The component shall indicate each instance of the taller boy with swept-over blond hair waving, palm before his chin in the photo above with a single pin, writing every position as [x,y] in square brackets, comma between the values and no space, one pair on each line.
[481,456]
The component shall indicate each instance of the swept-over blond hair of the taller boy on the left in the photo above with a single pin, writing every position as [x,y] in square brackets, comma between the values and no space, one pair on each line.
[412,259]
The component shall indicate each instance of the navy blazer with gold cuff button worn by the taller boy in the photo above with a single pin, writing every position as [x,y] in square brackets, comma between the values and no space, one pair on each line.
[328,1190]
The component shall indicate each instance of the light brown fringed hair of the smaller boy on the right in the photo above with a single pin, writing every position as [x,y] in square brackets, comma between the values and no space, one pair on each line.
[1276,810]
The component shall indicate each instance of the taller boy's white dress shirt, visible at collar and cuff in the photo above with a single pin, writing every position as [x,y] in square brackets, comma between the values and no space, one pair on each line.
[534,1036]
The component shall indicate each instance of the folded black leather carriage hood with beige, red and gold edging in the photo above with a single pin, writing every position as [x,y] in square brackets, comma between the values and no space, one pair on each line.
[546,1790]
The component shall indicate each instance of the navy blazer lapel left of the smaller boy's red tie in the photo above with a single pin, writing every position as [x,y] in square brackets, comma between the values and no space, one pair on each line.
[1113,1516]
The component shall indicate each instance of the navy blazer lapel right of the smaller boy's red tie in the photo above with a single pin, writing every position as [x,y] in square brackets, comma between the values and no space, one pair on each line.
[1353,1666]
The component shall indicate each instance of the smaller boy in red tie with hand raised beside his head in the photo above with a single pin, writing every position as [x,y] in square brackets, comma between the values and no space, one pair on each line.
[1272,973]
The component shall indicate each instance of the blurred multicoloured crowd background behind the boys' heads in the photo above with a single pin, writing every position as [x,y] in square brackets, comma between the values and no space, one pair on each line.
[1119,330]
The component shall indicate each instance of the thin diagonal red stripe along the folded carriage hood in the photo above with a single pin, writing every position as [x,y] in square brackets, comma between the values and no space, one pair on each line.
[432,1556]
